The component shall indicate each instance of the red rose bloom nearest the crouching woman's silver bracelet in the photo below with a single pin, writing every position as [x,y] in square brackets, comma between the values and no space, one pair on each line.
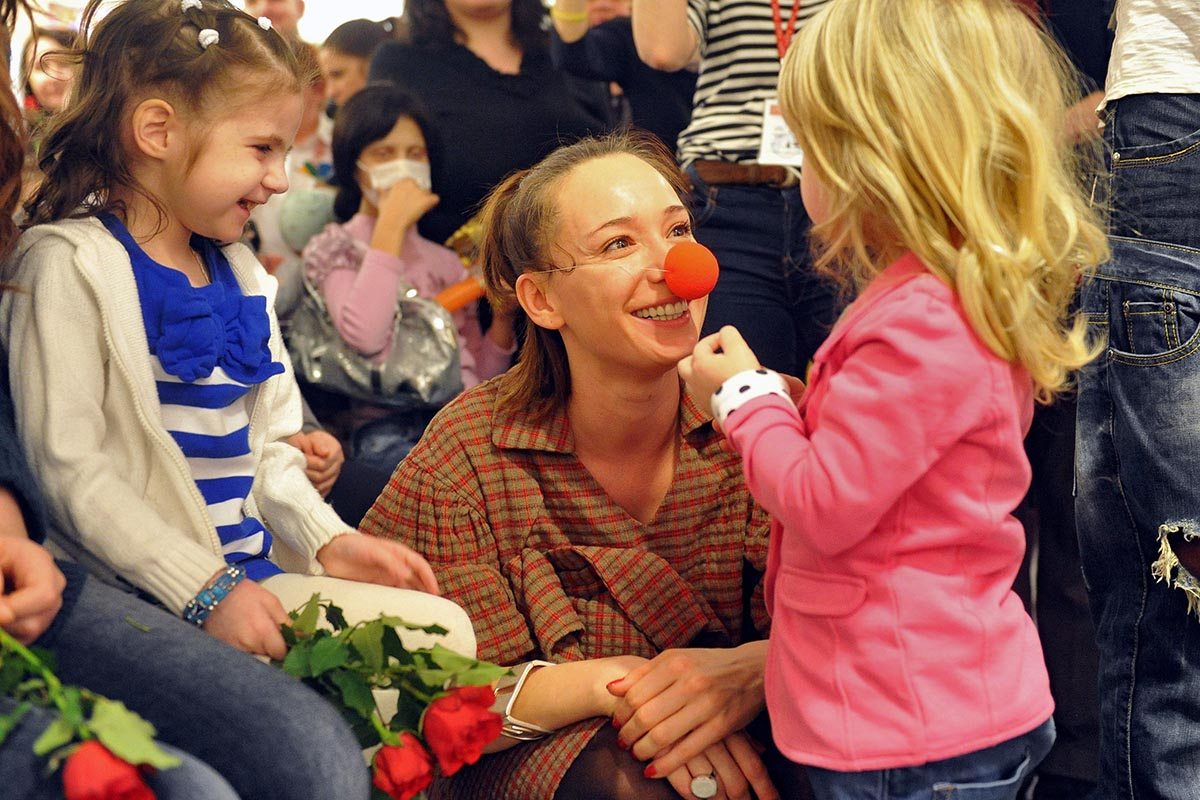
[459,725]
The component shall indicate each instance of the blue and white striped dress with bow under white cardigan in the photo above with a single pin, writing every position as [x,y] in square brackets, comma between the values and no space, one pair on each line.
[208,350]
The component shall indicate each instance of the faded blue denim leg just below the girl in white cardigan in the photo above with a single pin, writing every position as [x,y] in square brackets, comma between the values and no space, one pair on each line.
[267,733]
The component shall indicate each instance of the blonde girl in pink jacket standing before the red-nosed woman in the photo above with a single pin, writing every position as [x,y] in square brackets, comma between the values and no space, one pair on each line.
[902,665]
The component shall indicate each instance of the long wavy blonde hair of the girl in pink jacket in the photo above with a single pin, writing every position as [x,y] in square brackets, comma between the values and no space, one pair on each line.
[938,127]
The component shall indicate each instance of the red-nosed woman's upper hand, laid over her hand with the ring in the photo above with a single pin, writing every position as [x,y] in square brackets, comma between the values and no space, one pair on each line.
[682,702]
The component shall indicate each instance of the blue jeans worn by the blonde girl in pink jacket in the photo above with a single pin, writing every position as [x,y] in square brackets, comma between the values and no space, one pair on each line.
[993,774]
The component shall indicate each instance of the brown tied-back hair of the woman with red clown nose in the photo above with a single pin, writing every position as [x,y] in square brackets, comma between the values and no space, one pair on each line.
[519,224]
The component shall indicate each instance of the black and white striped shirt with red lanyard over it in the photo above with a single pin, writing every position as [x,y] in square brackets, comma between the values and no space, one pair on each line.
[739,73]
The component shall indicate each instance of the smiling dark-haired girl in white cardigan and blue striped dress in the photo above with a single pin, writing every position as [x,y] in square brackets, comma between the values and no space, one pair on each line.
[155,394]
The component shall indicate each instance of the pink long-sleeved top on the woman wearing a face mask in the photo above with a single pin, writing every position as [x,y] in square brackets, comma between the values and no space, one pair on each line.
[361,286]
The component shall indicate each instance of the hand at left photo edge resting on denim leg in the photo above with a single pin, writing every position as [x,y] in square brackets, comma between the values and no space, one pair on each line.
[32,588]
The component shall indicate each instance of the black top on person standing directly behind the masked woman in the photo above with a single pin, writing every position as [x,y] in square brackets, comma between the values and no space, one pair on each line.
[489,124]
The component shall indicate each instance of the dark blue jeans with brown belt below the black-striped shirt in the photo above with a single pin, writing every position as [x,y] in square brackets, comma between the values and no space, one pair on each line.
[767,288]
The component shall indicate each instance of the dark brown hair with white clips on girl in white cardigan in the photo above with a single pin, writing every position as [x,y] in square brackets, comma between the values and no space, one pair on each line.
[142,50]
